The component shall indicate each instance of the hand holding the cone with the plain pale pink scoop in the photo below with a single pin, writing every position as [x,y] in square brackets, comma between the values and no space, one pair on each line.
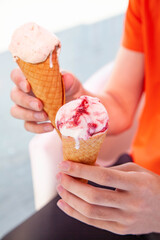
[30,109]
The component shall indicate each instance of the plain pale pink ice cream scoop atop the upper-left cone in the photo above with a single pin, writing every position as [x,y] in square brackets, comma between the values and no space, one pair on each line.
[32,43]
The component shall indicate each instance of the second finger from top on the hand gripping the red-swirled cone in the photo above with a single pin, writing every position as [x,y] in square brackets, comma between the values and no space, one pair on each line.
[92,195]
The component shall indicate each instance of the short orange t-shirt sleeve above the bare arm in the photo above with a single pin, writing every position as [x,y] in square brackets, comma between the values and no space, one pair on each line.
[132,35]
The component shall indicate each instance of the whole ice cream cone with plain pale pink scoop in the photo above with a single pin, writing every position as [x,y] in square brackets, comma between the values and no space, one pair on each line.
[36,50]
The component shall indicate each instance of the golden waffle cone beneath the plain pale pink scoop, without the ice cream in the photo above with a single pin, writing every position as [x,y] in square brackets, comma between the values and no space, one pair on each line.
[46,83]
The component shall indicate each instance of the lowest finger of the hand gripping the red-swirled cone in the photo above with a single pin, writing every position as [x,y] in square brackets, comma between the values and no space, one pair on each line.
[109,225]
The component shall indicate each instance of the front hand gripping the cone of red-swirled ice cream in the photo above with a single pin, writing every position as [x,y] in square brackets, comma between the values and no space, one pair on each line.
[133,208]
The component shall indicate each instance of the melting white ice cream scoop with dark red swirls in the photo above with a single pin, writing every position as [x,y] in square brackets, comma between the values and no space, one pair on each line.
[82,118]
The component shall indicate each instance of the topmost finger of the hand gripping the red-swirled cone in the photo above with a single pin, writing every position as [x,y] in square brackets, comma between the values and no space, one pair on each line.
[100,175]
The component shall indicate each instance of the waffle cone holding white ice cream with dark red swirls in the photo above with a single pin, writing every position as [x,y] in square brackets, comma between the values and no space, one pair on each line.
[83,124]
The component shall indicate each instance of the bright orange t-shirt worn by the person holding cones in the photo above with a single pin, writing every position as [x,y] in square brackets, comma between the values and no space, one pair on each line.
[142,33]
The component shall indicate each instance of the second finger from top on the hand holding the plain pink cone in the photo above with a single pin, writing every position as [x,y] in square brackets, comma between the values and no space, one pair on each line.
[26,101]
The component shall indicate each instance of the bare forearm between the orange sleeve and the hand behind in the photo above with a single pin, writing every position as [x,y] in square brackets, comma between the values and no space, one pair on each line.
[122,92]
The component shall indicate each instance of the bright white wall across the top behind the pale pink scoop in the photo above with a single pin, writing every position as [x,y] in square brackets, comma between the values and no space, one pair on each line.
[55,15]
